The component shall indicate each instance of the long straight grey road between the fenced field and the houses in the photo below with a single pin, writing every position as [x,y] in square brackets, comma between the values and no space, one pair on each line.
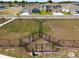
[43,17]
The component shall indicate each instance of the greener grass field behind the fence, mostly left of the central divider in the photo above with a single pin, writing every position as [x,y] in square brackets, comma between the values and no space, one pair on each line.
[20,28]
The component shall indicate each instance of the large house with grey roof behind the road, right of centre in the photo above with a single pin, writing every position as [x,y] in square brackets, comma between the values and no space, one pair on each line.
[51,7]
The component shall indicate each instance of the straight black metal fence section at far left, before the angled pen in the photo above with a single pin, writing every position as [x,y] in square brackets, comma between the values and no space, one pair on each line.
[9,43]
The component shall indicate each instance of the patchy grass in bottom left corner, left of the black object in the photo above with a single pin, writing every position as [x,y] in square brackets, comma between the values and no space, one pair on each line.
[14,52]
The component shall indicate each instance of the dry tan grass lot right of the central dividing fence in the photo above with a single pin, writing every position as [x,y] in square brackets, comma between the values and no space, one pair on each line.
[64,29]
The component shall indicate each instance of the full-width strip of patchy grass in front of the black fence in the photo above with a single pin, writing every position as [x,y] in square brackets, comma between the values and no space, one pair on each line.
[20,53]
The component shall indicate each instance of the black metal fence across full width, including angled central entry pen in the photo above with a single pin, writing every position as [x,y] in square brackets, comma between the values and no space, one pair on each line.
[53,46]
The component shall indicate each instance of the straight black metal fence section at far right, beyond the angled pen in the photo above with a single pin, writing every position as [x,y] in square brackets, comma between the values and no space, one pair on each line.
[69,43]
